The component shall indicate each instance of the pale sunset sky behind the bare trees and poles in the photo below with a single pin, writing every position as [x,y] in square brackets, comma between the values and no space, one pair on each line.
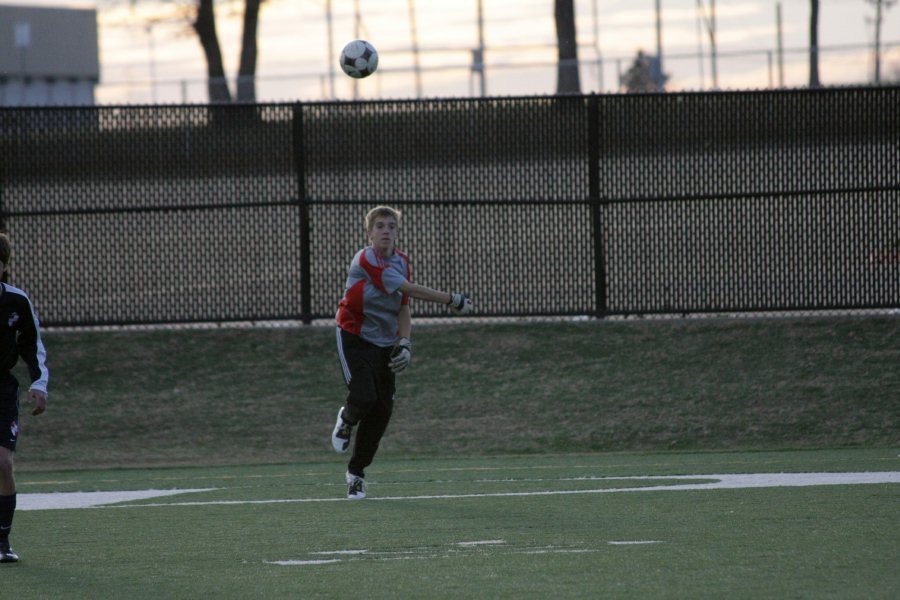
[149,53]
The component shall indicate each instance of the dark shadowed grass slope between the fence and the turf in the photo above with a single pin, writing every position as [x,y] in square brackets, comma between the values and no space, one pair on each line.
[232,396]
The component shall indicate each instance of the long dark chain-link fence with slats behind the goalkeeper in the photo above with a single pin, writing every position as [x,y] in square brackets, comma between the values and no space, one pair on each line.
[542,206]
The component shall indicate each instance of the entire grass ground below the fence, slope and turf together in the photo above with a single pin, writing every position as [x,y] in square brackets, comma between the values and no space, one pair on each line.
[516,465]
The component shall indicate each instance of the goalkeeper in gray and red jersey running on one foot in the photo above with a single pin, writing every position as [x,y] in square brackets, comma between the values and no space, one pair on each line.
[373,338]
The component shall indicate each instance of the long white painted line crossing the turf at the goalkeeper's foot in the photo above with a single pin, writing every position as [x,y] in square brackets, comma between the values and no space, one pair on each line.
[719,482]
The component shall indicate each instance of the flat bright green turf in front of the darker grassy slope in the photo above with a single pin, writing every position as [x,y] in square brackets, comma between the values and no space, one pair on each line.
[802,542]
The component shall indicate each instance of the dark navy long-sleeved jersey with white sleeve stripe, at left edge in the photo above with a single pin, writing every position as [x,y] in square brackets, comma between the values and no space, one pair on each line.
[20,336]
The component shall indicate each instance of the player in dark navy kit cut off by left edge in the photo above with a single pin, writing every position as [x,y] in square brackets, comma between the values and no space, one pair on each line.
[20,337]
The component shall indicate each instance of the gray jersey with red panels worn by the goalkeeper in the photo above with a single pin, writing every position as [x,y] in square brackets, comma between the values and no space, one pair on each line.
[372,299]
